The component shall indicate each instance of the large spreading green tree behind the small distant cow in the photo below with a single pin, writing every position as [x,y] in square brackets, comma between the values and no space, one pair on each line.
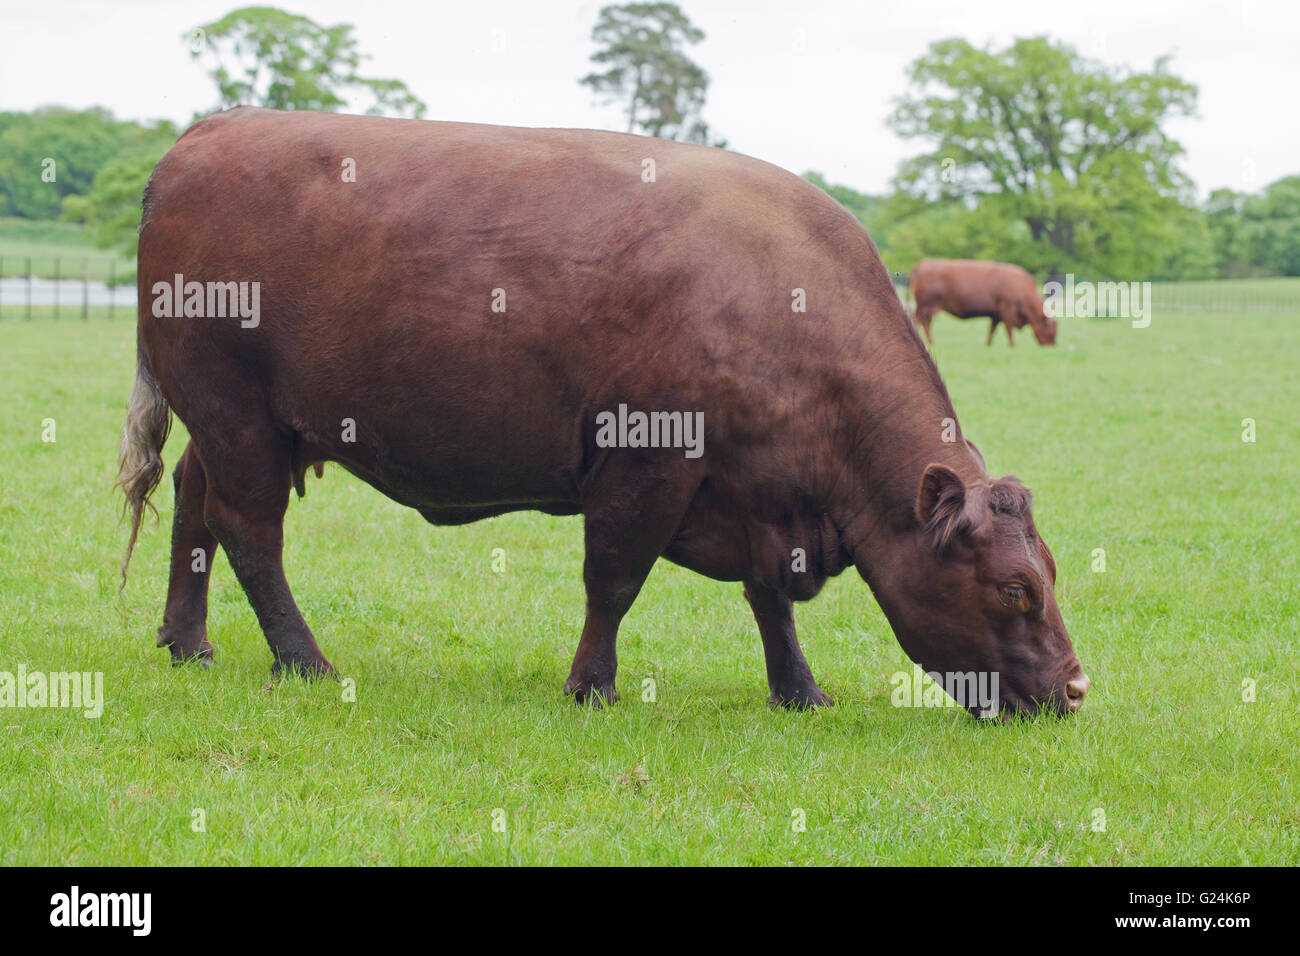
[1074,150]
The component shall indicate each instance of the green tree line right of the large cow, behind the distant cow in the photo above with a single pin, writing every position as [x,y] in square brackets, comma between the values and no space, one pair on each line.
[1045,158]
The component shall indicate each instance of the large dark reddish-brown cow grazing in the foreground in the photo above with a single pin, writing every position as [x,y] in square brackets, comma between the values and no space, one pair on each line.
[476,322]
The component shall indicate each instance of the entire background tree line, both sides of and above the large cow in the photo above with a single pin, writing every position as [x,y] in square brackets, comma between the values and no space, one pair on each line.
[1032,154]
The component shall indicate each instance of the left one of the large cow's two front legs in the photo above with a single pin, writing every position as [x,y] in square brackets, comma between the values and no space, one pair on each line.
[631,517]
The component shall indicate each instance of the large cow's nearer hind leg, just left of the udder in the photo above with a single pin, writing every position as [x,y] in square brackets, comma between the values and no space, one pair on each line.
[249,482]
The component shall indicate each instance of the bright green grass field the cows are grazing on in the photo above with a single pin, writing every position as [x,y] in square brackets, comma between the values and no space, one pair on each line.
[1132,440]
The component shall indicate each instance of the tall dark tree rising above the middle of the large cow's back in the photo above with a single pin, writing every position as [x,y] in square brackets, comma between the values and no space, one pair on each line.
[642,49]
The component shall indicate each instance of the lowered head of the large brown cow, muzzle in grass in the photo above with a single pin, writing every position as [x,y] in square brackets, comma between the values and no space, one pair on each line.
[974,592]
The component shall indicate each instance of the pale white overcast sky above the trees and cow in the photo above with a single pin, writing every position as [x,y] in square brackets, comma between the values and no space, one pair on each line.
[803,84]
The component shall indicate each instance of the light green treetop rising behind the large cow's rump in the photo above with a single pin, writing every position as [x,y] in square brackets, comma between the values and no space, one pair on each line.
[263,57]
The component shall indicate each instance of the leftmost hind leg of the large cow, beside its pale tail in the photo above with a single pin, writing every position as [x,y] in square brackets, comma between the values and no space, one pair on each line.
[185,621]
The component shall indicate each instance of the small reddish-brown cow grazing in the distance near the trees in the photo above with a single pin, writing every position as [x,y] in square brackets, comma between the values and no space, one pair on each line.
[976,289]
